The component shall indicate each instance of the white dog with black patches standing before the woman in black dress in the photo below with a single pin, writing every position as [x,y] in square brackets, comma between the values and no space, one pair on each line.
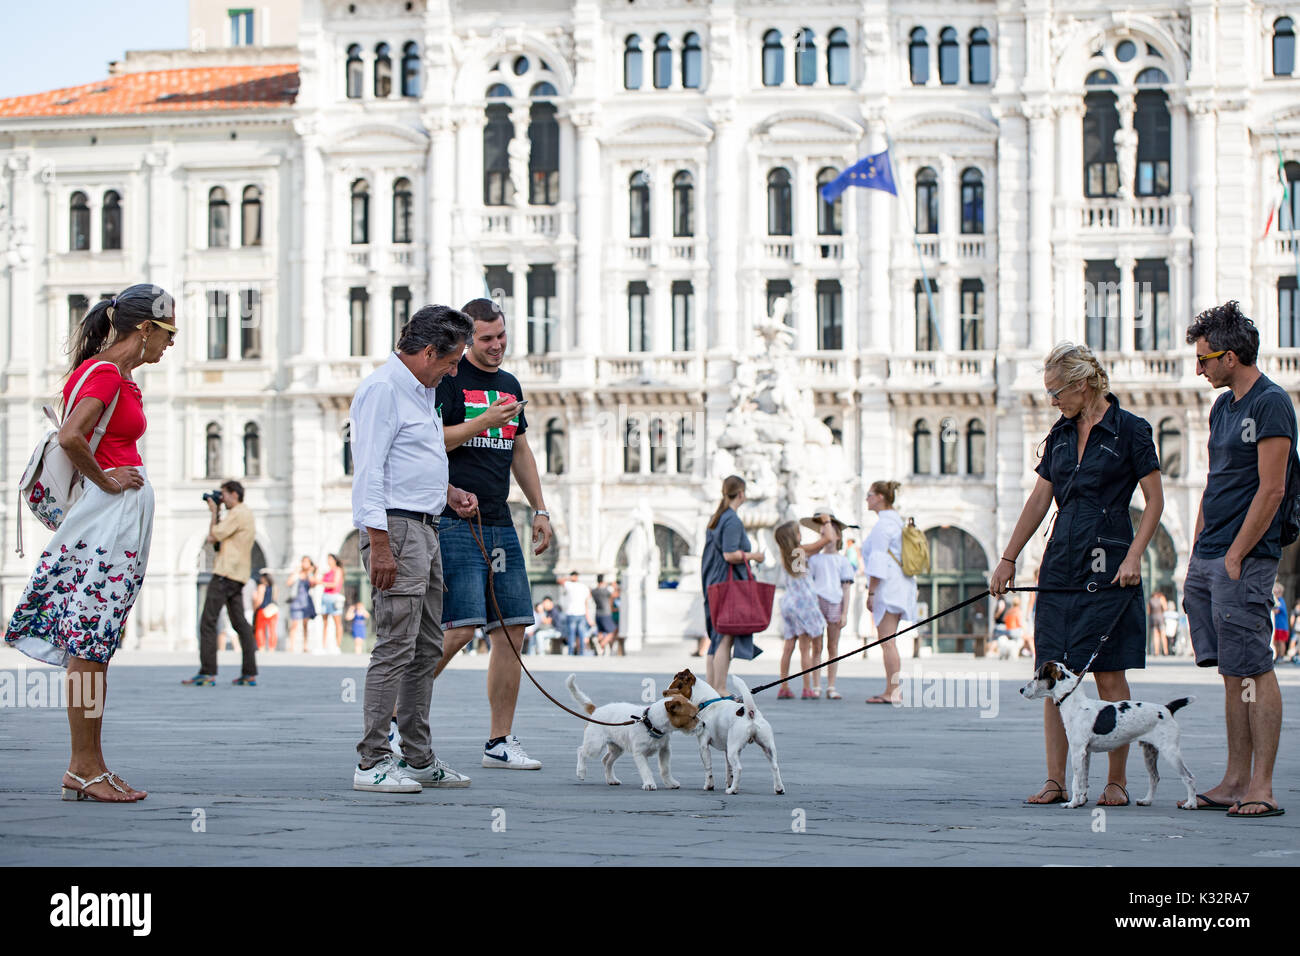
[1095,726]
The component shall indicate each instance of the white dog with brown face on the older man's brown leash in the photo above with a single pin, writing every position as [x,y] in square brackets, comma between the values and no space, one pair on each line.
[648,737]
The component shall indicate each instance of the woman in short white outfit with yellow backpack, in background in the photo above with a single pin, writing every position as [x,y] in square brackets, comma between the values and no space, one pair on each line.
[891,595]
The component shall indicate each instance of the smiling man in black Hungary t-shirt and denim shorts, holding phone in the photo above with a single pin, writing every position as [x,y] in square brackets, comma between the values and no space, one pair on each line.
[484,426]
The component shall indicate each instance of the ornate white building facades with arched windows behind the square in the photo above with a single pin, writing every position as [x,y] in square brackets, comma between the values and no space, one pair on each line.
[638,184]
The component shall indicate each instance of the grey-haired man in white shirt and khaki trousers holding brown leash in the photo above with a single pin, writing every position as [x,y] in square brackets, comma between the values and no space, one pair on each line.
[400,488]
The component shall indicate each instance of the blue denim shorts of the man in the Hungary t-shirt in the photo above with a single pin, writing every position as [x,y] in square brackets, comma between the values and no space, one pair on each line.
[466,603]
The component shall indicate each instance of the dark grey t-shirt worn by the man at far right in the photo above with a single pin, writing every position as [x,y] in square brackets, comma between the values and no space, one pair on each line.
[1237,430]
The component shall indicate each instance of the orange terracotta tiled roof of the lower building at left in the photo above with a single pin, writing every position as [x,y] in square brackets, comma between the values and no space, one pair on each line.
[166,92]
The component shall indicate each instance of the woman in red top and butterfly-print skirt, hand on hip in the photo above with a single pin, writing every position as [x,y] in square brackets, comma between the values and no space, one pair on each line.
[86,582]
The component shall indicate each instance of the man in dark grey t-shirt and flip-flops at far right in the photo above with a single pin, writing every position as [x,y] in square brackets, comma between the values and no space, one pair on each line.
[1234,561]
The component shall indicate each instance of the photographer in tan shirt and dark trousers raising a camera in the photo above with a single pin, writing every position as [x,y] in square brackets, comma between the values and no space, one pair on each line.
[233,538]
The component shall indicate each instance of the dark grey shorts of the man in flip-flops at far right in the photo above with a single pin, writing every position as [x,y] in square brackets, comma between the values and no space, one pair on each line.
[1232,622]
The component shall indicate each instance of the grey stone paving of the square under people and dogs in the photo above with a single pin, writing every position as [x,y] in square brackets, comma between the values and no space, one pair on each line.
[271,771]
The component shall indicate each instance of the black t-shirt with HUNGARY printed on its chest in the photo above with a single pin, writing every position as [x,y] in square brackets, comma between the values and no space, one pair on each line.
[482,466]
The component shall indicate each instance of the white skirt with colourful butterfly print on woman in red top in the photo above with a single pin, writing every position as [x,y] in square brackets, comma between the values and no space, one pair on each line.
[88,579]
